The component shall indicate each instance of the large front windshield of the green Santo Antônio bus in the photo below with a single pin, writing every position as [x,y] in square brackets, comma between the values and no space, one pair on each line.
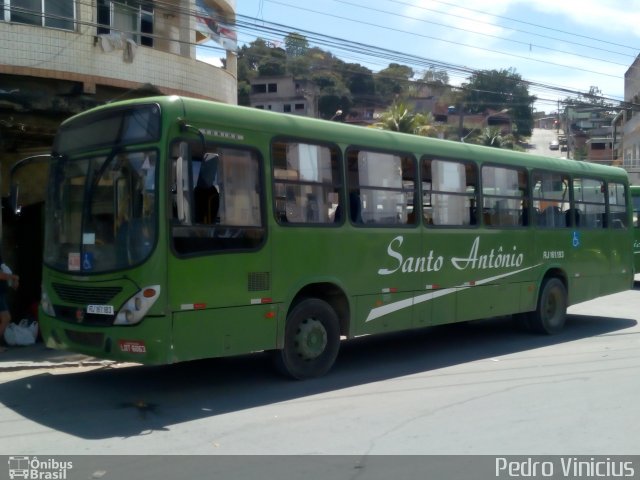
[101,211]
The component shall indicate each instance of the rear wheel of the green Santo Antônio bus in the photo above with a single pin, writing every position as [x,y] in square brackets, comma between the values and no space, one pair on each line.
[551,311]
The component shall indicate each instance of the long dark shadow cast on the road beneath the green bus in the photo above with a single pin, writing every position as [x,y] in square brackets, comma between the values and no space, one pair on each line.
[125,402]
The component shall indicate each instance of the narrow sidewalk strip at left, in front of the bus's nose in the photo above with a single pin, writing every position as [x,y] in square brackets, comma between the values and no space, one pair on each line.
[38,356]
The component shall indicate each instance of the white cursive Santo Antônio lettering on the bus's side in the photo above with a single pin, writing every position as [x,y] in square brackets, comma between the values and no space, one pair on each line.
[431,262]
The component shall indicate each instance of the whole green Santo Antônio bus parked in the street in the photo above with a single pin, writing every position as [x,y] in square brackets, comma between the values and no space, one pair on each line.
[180,229]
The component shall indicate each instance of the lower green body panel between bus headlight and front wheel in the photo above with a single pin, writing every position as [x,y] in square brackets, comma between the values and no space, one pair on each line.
[223,332]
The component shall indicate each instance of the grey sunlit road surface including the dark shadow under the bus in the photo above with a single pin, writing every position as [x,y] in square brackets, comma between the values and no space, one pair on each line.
[482,388]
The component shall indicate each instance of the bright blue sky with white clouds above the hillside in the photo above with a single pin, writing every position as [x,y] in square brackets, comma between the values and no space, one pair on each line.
[569,45]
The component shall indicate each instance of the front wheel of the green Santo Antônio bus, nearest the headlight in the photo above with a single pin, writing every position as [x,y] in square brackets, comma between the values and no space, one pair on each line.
[311,340]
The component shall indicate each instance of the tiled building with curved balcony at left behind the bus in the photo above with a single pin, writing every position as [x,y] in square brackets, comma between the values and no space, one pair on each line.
[61,57]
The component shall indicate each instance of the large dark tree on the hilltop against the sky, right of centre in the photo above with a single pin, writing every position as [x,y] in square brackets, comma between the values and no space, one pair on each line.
[500,90]
